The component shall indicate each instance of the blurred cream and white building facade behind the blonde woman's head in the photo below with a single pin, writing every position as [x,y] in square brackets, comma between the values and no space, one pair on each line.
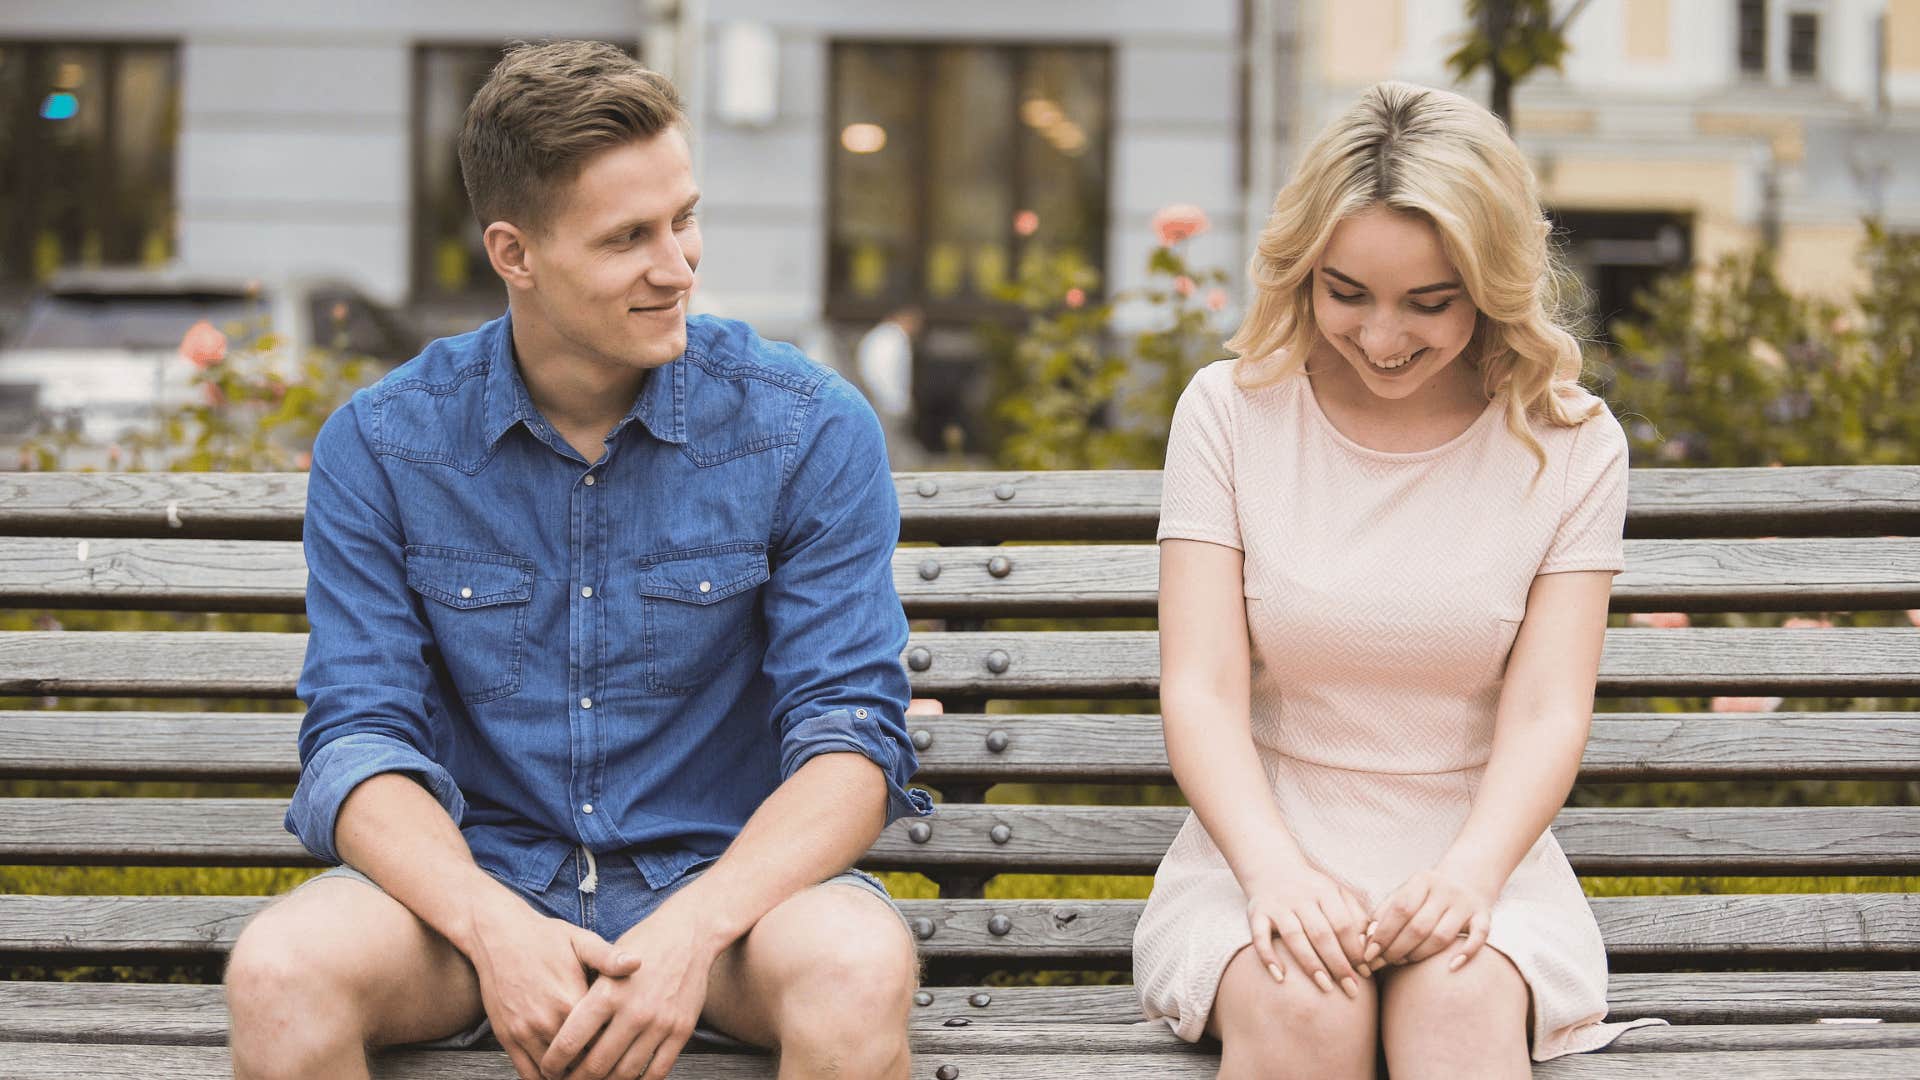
[1683,130]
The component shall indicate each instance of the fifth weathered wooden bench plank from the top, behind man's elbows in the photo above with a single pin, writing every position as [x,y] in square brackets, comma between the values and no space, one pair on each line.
[1040,839]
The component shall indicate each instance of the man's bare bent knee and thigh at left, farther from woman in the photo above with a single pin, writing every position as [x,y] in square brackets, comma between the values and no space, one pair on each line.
[335,970]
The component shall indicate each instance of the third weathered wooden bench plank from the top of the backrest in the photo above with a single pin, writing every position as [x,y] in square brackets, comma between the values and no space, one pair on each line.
[1122,664]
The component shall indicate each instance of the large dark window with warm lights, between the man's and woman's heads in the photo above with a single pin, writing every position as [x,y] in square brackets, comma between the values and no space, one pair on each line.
[955,160]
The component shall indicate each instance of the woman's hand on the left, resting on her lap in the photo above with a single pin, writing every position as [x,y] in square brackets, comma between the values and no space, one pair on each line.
[1318,921]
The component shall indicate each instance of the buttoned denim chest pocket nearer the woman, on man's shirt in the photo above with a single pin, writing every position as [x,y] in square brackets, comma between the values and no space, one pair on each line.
[700,612]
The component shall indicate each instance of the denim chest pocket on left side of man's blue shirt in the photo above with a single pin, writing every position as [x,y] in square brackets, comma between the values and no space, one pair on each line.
[477,610]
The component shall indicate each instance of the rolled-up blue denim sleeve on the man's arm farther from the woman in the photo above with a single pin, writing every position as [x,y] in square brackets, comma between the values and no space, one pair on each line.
[373,704]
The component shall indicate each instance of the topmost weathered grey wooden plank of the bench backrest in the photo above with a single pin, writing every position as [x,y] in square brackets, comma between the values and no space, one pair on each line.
[1842,501]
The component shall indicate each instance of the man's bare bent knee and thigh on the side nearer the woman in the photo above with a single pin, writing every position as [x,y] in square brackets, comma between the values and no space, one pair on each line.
[828,981]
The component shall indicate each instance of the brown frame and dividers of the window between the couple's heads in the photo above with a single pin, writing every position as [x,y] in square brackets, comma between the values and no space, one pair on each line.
[842,308]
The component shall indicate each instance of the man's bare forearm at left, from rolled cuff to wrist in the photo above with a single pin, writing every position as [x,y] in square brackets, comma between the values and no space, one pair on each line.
[398,835]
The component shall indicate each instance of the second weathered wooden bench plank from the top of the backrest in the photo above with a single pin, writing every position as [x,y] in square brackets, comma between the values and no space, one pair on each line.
[1662,576]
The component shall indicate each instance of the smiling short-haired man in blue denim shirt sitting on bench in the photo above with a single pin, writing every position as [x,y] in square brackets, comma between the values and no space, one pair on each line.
[604,672]
